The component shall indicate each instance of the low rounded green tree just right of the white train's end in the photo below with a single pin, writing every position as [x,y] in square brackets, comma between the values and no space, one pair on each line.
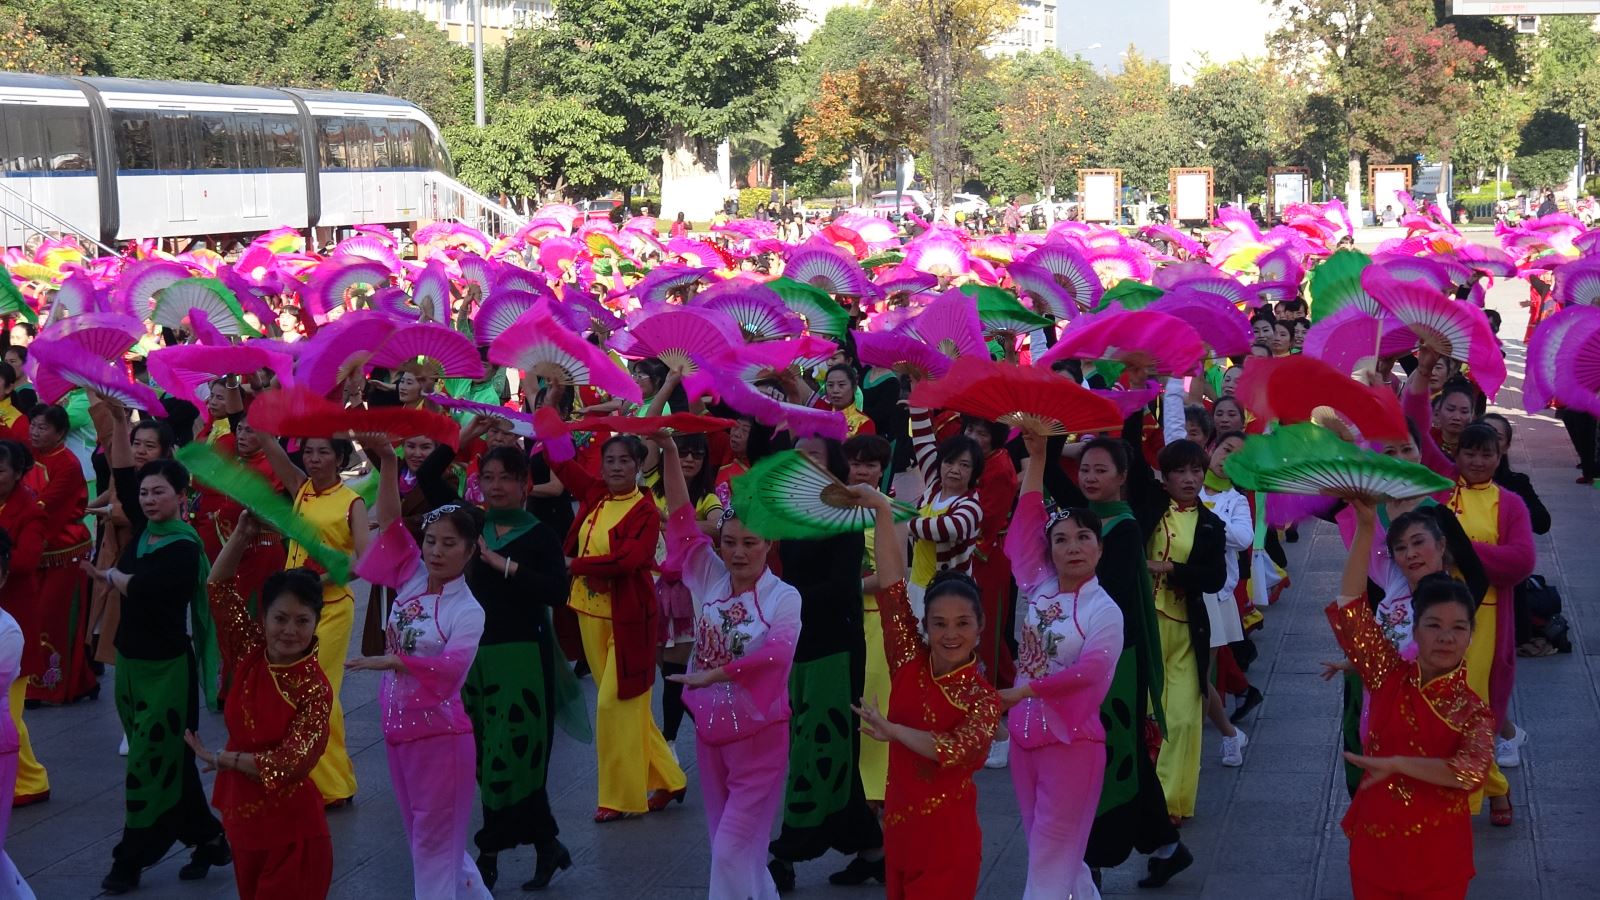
[553,148]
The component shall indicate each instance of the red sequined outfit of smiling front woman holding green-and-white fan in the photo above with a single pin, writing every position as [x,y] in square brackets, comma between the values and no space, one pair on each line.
[932,843]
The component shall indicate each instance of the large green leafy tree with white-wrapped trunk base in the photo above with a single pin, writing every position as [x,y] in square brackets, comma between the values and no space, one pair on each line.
[682,74]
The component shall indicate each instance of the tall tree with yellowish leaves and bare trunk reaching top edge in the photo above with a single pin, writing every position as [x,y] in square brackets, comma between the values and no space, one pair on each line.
[945,38]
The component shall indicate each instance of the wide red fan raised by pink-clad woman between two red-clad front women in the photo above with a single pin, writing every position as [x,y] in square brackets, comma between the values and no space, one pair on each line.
[1033,400]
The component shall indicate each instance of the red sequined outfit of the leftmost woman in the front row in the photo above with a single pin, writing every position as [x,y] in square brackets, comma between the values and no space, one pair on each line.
[276,826]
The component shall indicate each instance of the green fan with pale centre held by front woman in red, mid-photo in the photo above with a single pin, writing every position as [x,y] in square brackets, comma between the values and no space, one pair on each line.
[790,497]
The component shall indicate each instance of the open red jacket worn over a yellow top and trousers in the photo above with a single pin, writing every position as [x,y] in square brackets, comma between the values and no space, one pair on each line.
[630,569]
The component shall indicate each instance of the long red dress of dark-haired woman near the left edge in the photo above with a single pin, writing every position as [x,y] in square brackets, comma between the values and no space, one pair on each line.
[63,589]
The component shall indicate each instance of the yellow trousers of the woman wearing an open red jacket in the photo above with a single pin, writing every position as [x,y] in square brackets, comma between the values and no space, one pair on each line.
[634,758]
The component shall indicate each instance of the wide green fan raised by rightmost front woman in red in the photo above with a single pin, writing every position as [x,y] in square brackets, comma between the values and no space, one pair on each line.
[1308,459]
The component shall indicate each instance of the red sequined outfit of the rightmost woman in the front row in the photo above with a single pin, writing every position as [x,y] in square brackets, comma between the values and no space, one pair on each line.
[1407,837]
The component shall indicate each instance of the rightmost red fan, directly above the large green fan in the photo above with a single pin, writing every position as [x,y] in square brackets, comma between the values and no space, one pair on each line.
[1294,390]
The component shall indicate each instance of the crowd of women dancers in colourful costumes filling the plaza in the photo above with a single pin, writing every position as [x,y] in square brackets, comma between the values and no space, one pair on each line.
[1071,606]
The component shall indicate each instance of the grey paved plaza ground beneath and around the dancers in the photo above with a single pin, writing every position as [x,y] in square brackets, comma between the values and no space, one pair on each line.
[1268,830]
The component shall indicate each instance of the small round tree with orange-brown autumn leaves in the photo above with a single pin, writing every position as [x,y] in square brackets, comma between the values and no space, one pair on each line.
[868,115]
